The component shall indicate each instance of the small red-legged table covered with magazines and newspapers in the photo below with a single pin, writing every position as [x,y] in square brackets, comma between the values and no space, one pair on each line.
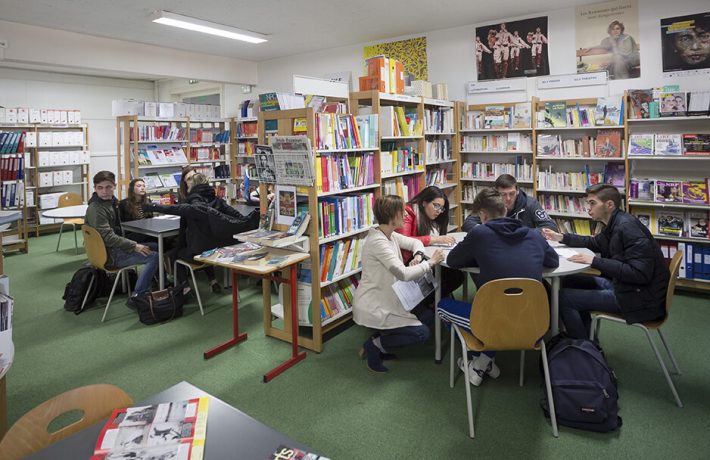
[264,271]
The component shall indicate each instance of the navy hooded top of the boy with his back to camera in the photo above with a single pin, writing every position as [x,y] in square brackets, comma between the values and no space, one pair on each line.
[504,248]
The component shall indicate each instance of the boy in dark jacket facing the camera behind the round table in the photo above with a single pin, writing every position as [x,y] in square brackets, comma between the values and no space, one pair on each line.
[517,205]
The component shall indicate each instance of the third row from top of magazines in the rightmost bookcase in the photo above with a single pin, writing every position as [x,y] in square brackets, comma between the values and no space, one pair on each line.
[670,191]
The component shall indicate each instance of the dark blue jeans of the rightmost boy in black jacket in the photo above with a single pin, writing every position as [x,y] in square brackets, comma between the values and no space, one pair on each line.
[581,294]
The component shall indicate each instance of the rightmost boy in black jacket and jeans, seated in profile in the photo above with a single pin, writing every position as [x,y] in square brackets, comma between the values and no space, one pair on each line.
[634,277]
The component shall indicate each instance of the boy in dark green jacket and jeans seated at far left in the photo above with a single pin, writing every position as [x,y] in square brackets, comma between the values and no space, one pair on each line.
[103,215]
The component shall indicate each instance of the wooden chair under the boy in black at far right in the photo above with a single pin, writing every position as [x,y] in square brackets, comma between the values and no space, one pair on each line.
[646,326]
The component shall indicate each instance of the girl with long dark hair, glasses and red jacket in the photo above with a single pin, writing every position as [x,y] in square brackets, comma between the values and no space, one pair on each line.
[426,218]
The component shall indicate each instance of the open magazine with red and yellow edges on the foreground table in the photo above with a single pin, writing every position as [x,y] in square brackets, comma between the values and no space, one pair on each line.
[173,430]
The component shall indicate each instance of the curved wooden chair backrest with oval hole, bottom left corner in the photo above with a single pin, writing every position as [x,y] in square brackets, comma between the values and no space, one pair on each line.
[30,433]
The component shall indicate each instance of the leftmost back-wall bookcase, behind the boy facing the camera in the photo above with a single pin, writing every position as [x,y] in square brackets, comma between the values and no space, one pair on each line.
[495,139]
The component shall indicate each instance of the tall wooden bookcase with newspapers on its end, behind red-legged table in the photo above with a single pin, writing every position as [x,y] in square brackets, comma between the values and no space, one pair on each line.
[331,287]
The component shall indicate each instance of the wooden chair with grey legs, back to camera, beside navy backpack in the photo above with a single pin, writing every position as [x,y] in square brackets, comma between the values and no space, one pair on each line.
[507,314]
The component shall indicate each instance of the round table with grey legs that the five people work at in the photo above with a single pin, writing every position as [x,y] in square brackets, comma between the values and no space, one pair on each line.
[565,268]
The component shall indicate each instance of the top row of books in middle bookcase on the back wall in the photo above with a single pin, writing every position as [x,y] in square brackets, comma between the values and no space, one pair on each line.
[608,111]
